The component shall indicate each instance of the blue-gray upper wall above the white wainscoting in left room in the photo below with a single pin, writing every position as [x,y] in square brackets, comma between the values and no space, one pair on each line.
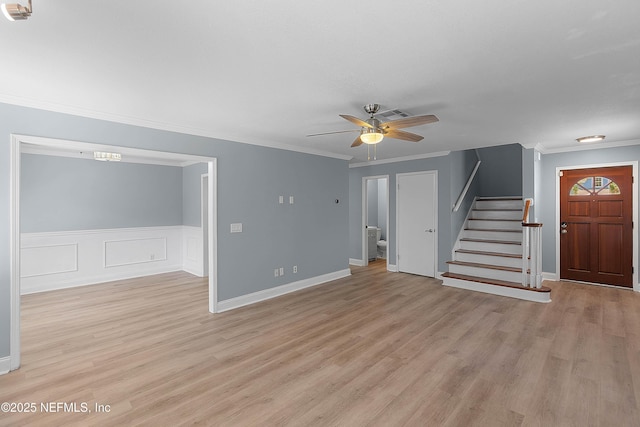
[64,194]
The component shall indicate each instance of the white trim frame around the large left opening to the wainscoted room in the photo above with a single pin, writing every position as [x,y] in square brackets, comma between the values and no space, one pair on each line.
[14,221]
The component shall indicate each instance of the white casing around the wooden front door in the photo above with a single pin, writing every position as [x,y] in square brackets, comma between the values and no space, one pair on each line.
[634,203]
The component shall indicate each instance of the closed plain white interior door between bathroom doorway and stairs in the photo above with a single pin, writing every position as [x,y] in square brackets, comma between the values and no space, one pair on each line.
[416,223]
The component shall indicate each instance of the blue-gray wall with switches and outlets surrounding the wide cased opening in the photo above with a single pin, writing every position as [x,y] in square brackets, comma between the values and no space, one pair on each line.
[312,233]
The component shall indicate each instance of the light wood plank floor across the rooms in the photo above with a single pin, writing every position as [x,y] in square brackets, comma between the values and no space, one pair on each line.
[376,348]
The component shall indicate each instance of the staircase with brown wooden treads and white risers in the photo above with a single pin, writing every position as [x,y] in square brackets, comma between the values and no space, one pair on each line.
[488,254]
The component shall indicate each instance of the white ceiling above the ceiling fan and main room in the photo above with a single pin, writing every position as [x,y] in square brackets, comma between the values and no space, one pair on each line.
[495,72]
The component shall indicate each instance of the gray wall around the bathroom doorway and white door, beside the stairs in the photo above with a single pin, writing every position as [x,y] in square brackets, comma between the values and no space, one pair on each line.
[450,168]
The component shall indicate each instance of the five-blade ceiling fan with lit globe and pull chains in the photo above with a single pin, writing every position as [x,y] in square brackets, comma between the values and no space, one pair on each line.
[372,130]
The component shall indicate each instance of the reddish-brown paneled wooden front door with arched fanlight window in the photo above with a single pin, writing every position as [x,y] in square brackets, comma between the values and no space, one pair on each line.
[596,242]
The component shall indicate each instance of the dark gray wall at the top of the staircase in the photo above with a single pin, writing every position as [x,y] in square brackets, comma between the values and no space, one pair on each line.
[500,172]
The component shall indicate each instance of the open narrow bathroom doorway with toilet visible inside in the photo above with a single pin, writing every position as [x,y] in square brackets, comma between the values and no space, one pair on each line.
[375,209]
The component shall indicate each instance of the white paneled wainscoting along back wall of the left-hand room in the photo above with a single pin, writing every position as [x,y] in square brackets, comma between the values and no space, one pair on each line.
[66,259]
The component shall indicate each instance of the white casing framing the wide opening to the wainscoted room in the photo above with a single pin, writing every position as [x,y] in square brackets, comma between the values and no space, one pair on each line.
[21,142]
